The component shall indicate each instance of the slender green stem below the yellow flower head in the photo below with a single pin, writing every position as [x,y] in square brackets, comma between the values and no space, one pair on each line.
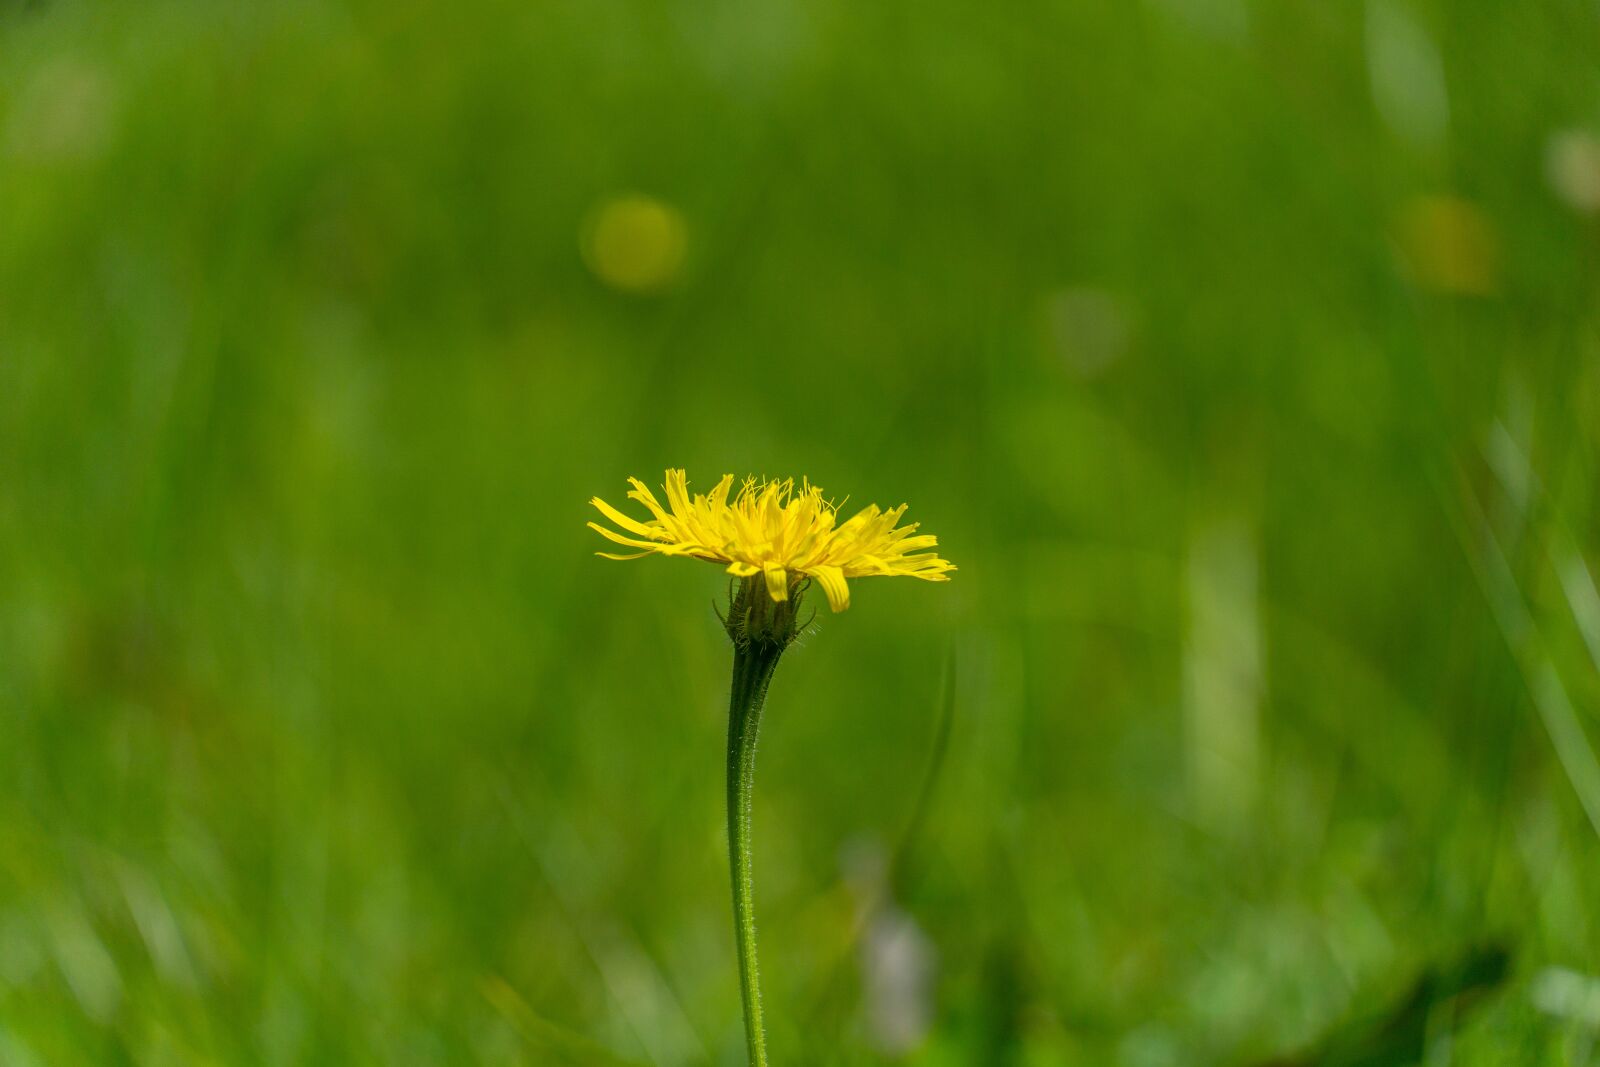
[753,668]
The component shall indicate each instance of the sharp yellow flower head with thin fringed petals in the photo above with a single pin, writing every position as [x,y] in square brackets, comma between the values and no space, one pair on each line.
[775,530]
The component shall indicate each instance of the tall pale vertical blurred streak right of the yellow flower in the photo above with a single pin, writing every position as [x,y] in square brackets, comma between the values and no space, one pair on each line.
[1223,668]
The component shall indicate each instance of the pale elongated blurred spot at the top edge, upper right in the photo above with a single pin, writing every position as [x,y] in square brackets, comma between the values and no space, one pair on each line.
[1407,74]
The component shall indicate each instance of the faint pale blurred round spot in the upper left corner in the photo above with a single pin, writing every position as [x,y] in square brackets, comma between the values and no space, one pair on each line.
[62,114]
